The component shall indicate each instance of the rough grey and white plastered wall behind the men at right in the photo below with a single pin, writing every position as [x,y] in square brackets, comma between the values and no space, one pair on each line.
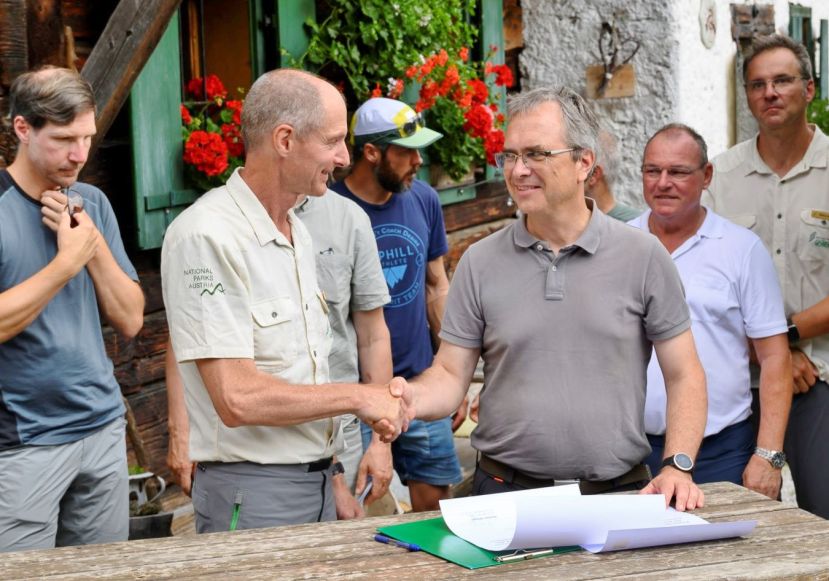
[677,77]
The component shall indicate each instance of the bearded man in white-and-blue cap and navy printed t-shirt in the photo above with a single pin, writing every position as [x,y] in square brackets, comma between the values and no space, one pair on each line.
[405,213]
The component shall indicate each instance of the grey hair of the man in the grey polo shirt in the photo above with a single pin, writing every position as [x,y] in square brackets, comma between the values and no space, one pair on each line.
[580,129]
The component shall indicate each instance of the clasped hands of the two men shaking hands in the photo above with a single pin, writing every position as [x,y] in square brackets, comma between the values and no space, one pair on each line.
[388,409]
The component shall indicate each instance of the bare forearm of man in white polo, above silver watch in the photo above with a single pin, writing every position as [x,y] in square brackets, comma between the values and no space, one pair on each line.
[775,390]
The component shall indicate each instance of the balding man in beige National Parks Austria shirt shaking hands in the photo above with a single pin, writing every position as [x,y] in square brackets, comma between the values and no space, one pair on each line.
[249,325]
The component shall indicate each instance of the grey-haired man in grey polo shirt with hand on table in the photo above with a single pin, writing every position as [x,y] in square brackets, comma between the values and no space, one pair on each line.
[539,300]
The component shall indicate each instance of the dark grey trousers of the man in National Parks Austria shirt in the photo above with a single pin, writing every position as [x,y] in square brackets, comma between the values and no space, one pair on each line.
[260,495]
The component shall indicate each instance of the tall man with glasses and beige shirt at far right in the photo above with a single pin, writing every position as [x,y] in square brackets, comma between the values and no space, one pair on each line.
[777,184]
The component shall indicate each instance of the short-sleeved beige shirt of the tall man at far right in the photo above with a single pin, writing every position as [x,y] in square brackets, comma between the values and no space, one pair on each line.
[790,215]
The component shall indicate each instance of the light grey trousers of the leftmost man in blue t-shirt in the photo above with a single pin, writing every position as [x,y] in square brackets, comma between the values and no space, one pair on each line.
[67,494]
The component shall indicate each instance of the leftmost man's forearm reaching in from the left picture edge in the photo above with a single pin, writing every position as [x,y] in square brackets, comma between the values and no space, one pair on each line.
[20,305]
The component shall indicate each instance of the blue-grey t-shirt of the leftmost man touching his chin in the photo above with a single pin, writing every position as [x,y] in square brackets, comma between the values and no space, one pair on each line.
[56,381]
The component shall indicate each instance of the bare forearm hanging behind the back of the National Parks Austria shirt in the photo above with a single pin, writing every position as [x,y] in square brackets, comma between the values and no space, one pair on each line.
[178,425]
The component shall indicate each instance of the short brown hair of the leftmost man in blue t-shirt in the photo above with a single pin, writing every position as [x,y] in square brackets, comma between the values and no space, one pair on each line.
[50,95]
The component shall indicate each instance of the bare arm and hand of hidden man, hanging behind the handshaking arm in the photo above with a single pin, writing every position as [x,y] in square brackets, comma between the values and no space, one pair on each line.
[374,354]
